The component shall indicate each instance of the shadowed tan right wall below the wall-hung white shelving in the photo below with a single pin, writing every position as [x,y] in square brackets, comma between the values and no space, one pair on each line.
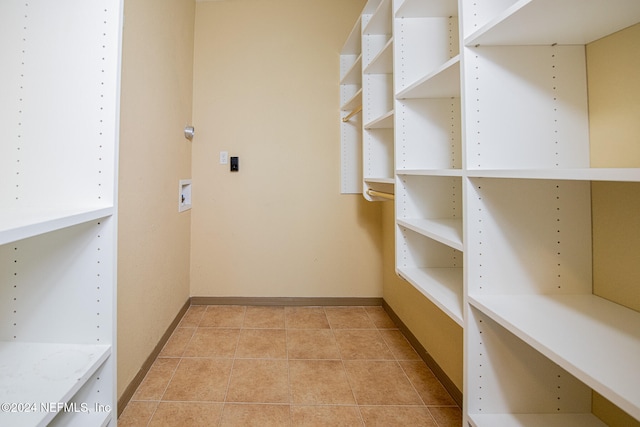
[438,334]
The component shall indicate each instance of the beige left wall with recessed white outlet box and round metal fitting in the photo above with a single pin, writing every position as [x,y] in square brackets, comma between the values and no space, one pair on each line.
[153,238]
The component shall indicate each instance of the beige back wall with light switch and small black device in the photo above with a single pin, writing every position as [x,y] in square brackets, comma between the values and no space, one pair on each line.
[266,79]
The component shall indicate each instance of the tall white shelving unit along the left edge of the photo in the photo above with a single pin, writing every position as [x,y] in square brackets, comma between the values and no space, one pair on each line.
[59,91]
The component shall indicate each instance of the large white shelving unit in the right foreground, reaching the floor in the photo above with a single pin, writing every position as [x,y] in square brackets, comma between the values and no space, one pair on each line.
[538,341]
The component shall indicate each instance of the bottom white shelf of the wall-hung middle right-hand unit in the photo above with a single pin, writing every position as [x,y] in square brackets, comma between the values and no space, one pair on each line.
[443,286]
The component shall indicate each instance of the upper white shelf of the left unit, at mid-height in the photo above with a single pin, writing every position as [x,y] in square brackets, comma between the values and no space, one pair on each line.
[16,225]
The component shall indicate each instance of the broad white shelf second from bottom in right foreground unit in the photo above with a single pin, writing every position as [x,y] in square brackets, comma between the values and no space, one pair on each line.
[595,340]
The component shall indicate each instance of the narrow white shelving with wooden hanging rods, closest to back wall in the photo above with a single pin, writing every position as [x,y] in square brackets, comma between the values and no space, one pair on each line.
[366,105]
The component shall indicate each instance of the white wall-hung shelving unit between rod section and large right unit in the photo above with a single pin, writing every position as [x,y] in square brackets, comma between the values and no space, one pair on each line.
[429,210]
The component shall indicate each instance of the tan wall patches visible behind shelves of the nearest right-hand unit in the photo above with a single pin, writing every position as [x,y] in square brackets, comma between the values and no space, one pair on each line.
[613,66]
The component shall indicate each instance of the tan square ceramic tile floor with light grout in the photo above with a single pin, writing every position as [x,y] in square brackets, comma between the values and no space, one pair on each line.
[289,366]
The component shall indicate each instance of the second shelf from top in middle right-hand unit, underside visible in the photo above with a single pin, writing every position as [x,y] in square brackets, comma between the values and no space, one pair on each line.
[441,83]
